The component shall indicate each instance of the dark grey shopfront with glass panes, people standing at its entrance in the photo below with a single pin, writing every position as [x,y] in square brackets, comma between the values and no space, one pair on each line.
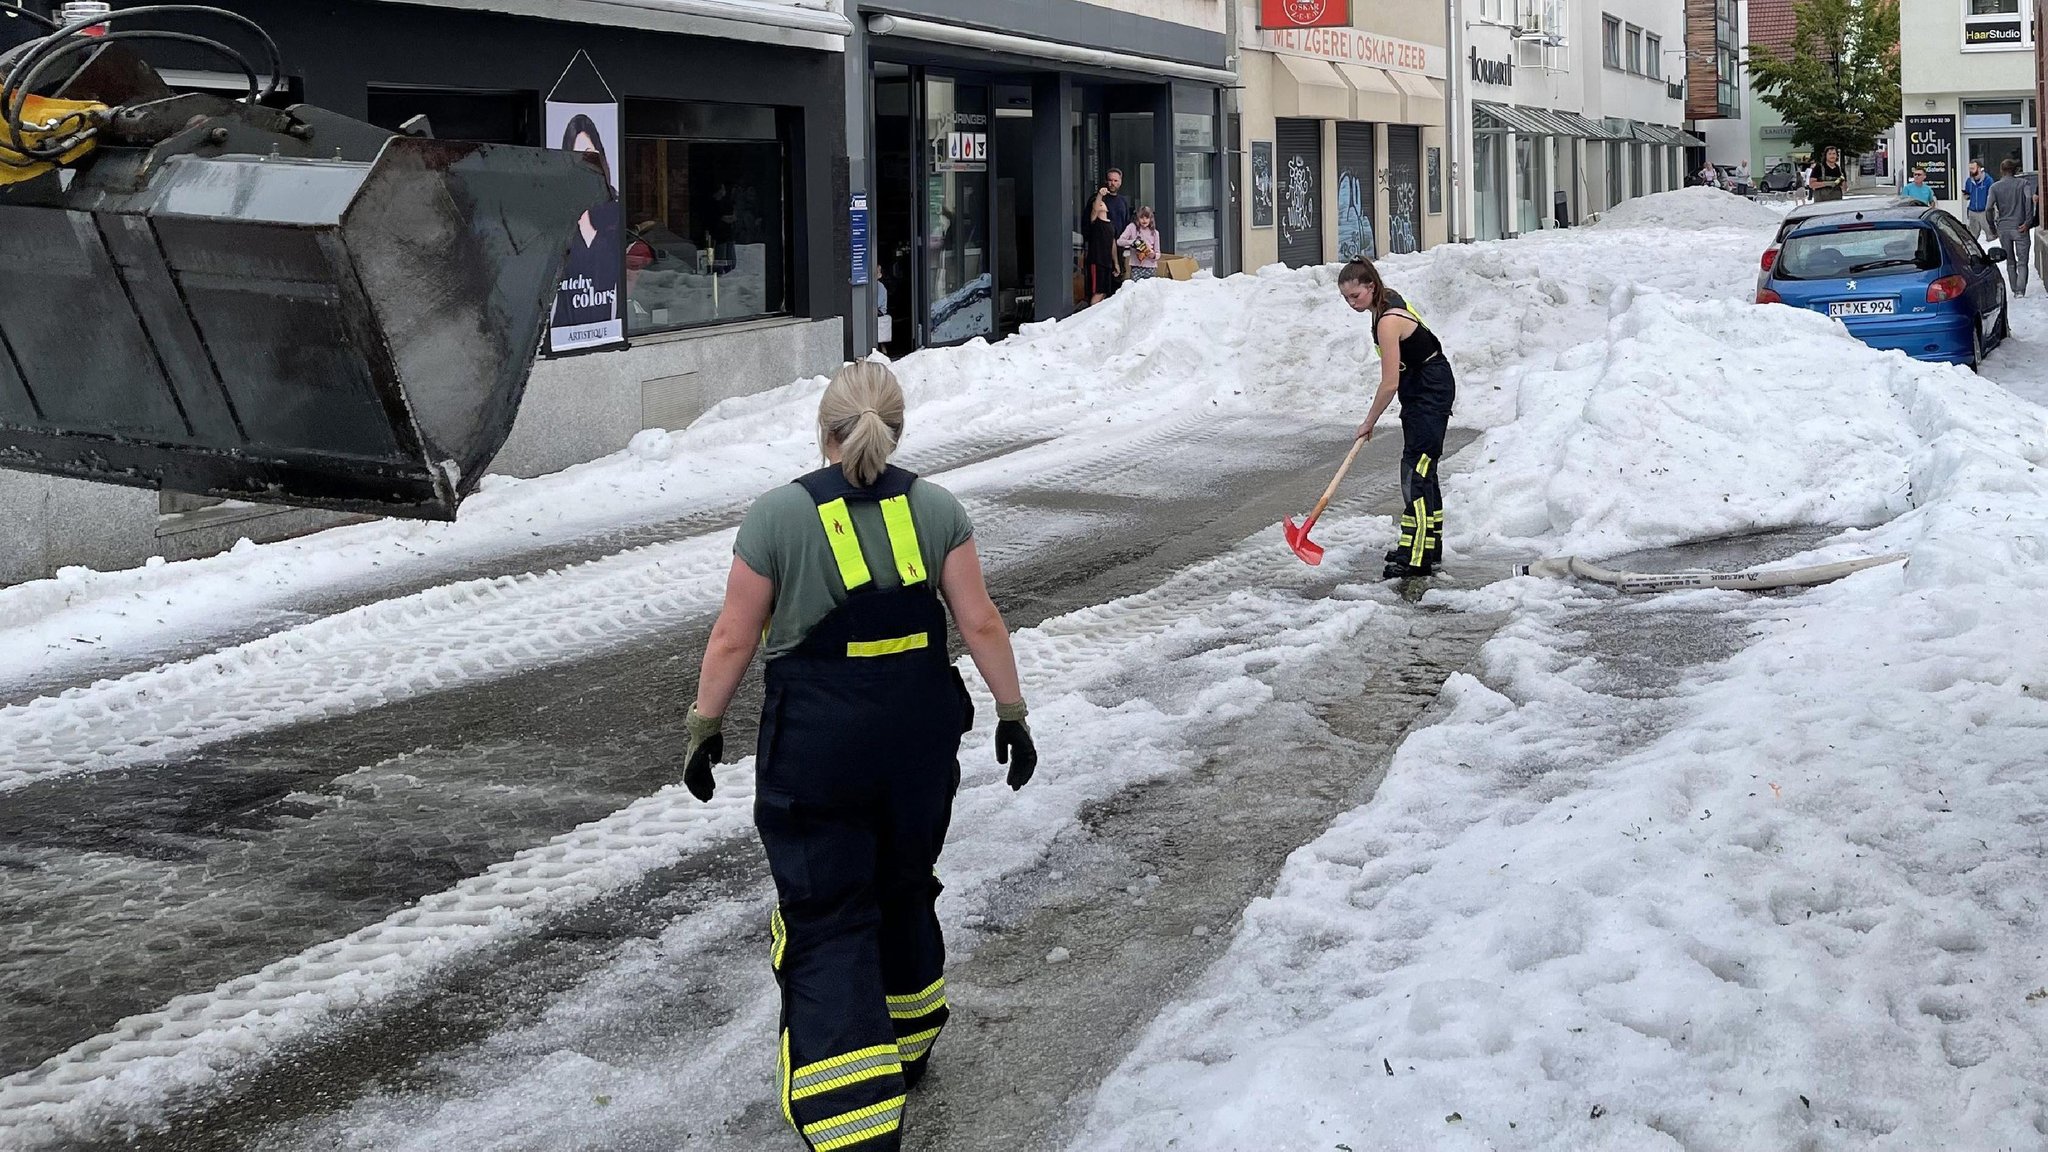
[984,130]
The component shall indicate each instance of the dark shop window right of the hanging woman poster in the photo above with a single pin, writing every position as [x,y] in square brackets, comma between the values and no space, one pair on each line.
[708,214]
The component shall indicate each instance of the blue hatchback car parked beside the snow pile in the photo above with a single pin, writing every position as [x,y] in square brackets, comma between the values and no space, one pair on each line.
[1904,276]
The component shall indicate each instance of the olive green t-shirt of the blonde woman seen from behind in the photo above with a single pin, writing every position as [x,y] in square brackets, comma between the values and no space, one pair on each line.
[783,540]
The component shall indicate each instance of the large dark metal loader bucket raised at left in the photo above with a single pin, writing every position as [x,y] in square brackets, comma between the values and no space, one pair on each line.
[280,306]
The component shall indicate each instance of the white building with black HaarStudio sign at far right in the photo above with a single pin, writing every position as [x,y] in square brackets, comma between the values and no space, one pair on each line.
[1971,87]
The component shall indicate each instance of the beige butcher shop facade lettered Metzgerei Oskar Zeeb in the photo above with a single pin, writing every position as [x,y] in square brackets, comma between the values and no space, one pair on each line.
[1342,132]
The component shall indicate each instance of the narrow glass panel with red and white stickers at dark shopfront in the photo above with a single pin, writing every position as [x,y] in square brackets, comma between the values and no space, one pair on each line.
[959,270]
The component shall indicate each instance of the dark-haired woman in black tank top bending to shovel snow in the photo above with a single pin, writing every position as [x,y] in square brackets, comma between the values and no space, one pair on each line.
[1416,370]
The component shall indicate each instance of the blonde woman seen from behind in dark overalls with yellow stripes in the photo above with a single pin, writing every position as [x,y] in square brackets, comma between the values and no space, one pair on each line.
[841,575]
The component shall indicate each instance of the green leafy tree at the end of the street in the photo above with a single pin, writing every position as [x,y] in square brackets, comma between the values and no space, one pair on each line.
[1840,89]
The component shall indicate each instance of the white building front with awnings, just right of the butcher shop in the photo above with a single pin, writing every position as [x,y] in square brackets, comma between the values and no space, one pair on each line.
[1568,108]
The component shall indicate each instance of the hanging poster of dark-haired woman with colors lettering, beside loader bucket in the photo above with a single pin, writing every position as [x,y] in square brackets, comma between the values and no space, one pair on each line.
[583,116]
